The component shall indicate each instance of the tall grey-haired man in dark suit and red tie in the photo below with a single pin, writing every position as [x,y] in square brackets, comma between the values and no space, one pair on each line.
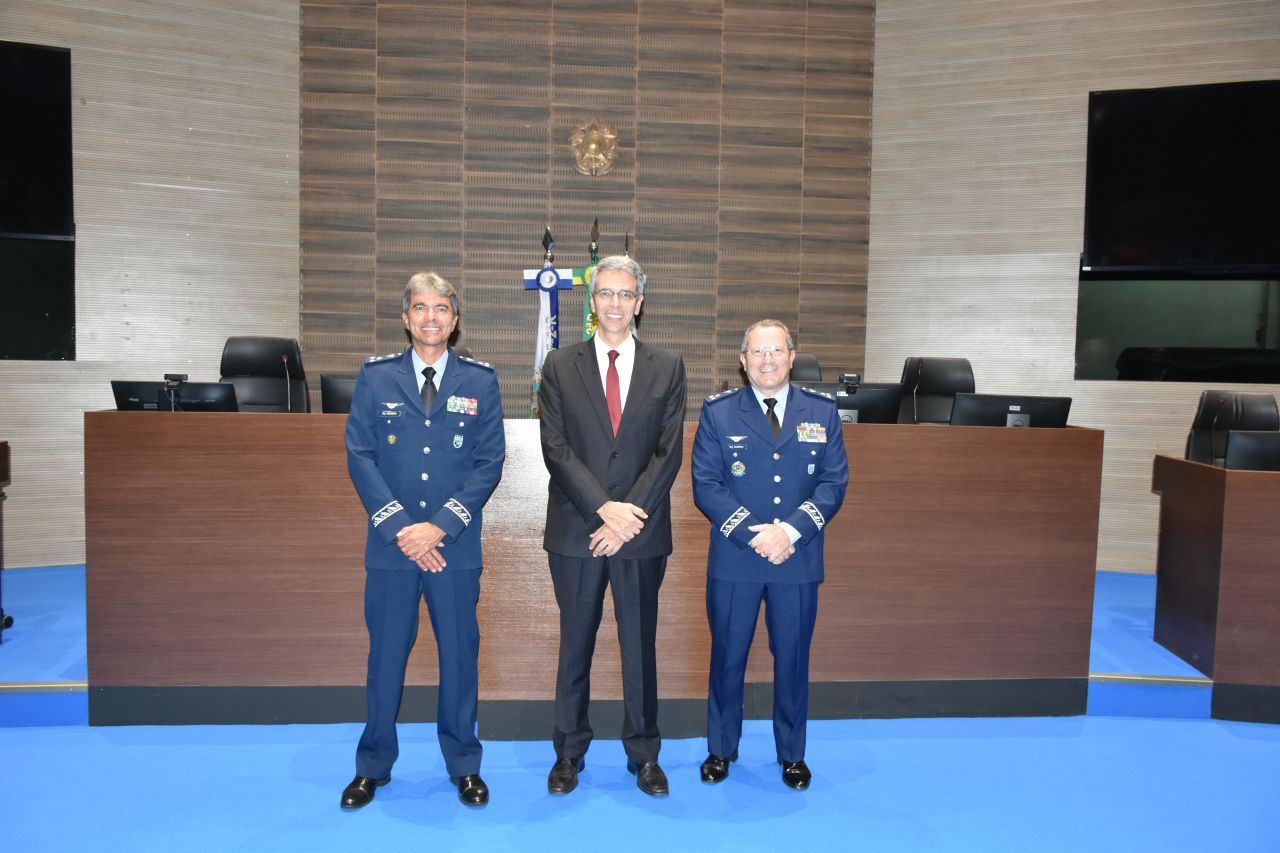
[612,431]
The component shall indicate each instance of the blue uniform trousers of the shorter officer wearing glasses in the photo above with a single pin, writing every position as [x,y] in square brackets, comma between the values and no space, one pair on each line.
[790,615]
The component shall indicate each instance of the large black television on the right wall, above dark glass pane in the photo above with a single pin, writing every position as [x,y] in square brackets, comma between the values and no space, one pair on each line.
[1183,183]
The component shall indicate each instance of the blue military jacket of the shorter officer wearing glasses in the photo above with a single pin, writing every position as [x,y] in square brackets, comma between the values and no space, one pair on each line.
[744,477]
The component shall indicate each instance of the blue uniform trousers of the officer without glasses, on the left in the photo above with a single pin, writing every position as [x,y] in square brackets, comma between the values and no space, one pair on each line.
[391,614]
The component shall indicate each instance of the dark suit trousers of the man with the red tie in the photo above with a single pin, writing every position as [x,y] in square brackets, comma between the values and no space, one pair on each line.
[580,594]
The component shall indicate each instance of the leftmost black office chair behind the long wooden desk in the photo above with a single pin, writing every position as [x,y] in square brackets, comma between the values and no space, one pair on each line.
[268,375]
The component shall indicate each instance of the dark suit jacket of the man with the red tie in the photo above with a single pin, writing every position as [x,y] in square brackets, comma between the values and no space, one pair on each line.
[588,467]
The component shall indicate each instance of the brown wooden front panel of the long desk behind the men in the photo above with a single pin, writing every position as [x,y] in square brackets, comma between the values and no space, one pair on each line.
[226,550]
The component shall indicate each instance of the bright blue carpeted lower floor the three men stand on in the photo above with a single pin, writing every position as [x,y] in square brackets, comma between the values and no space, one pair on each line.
[885,786]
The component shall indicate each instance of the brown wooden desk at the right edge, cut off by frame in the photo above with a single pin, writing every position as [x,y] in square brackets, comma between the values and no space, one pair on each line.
[1218,582]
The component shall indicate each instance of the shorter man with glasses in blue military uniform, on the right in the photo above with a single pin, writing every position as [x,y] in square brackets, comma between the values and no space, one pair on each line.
[770,472]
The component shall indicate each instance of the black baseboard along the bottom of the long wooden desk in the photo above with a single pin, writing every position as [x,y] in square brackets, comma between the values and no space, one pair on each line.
[534,719]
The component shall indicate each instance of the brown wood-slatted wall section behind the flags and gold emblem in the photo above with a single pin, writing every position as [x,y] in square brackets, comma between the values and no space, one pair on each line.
[436,136]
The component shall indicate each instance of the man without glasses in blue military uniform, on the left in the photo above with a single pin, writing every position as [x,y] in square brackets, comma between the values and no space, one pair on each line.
[426,449]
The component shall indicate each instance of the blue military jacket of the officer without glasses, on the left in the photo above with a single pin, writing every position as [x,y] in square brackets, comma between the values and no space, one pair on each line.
[438,467]
